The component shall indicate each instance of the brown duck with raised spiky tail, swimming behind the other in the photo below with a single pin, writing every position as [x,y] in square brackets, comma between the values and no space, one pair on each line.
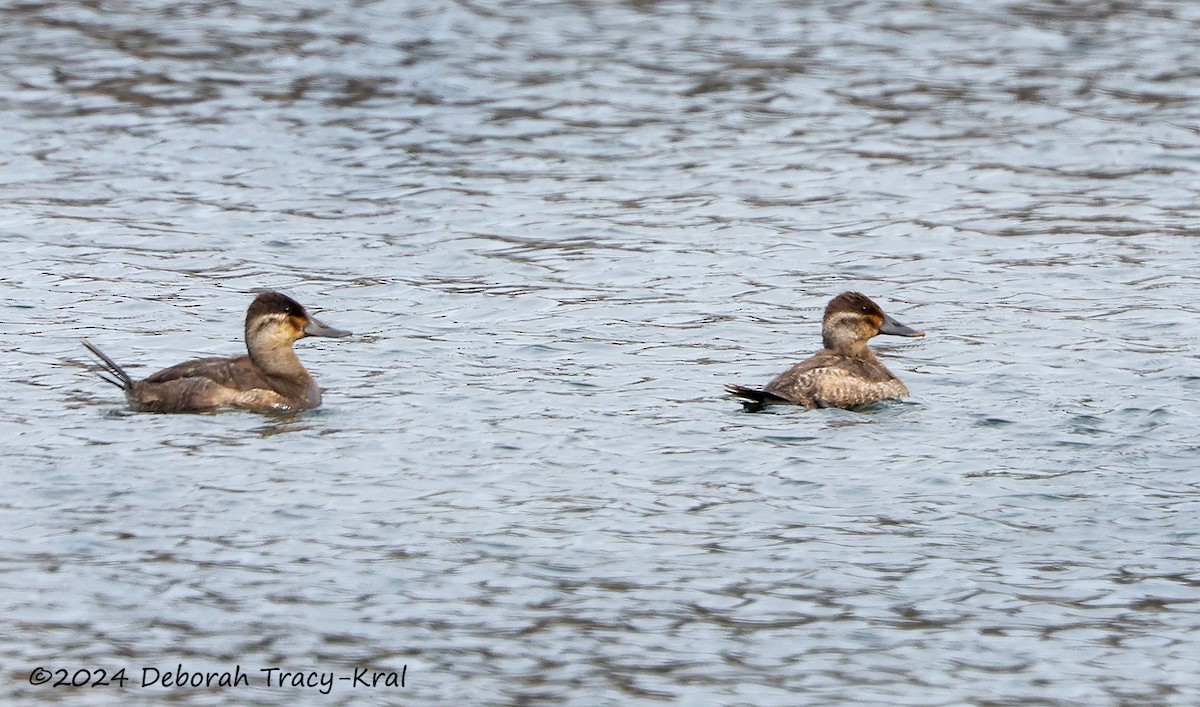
[269,378]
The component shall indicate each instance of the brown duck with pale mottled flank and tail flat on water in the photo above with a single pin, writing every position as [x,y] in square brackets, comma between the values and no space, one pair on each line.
[843,375]
